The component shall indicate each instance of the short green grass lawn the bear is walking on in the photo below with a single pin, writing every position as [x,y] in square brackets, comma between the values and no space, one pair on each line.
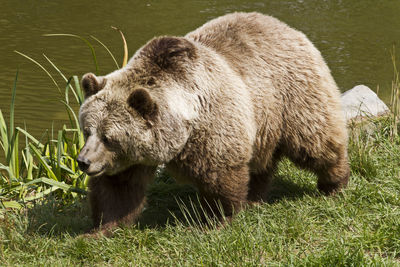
[297,226]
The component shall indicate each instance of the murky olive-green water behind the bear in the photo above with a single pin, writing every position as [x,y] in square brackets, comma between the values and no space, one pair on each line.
[354,36]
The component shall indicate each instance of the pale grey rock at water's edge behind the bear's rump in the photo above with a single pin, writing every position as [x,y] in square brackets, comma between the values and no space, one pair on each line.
[360,102]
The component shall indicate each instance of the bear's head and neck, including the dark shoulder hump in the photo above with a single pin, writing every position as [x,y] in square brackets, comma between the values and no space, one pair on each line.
[142,113]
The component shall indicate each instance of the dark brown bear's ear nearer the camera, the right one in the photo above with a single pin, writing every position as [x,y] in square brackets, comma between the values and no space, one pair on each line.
[141,101]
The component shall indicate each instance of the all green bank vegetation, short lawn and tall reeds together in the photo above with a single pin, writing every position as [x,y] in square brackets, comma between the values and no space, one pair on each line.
[44,213]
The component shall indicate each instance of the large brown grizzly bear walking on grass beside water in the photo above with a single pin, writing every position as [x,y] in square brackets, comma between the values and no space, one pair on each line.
[218,108]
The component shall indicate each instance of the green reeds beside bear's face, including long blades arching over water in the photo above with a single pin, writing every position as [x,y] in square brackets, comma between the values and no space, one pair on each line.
[33,168]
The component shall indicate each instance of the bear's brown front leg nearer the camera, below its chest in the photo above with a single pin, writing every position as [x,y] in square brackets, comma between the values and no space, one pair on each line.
[228,187]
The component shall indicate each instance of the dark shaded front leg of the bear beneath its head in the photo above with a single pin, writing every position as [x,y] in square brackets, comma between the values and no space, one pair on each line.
[118,199]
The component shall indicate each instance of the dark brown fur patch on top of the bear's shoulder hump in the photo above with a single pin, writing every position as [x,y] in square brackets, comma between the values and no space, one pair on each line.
[169,52]
